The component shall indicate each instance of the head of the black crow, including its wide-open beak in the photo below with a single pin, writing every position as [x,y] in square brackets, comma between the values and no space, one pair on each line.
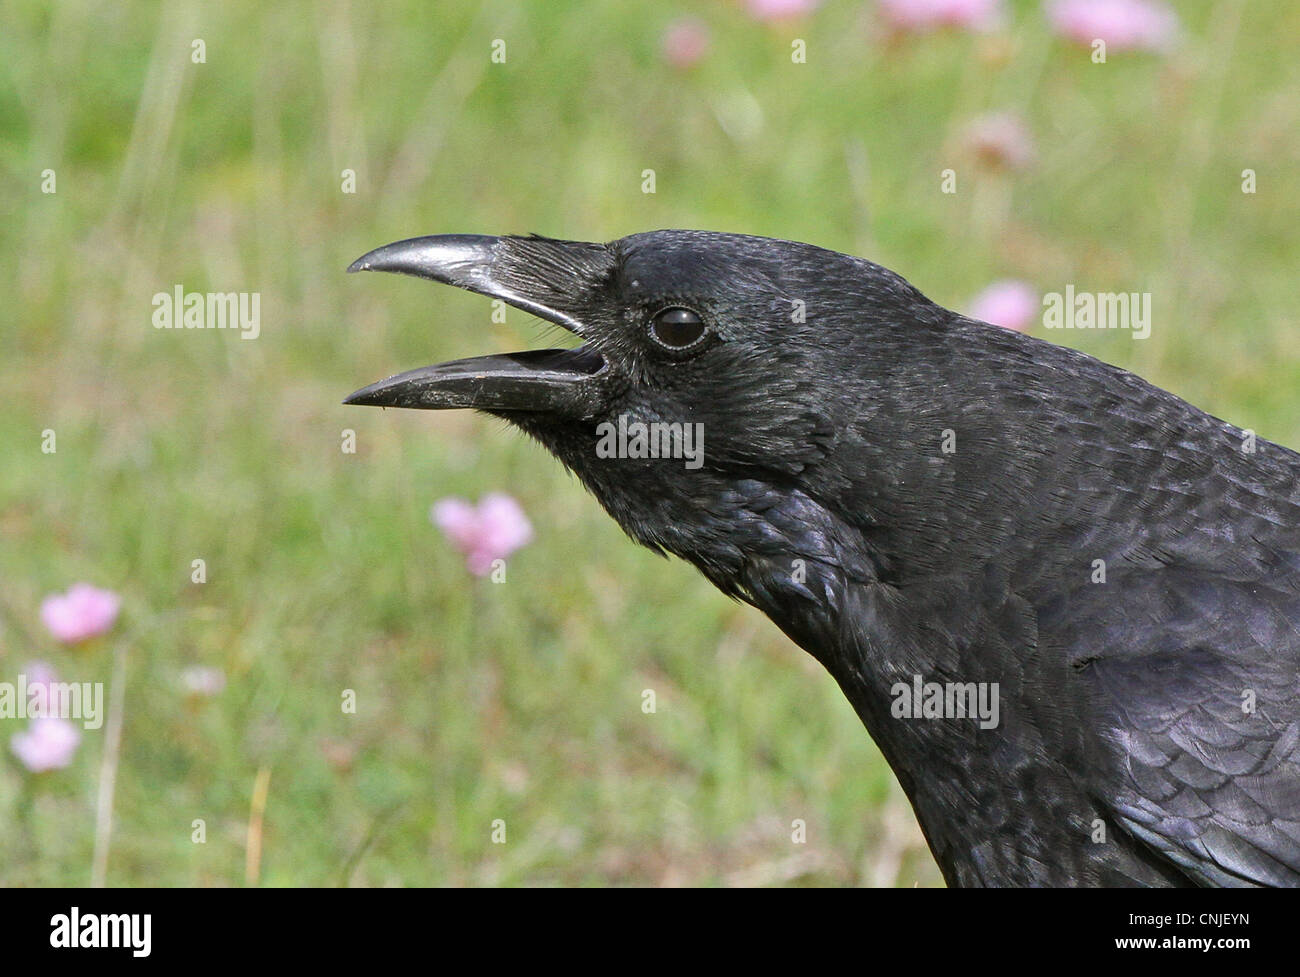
[717,377]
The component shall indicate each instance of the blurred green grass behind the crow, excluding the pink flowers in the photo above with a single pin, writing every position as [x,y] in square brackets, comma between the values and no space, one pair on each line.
[521,701]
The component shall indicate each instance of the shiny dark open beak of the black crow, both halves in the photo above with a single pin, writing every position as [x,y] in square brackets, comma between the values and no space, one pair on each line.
[535,275]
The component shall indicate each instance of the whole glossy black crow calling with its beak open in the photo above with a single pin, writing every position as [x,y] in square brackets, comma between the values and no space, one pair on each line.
[1065,603]
